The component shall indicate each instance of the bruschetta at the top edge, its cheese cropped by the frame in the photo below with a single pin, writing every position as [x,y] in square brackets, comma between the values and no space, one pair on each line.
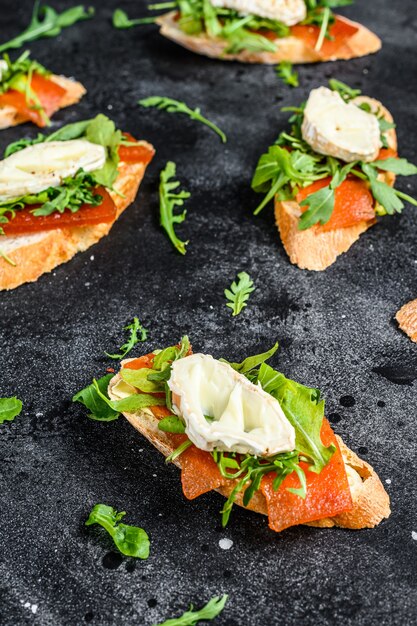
[261,31]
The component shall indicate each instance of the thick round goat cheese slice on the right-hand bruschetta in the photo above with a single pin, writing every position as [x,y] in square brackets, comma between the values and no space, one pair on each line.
[335,128]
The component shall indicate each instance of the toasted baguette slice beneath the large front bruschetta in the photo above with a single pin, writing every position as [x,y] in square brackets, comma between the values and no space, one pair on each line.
[371,502]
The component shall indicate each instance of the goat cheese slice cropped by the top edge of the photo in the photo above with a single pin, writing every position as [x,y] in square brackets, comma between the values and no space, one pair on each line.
[289,12]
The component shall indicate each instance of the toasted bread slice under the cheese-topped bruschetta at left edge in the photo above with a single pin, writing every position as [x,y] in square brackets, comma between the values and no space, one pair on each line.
[39,253]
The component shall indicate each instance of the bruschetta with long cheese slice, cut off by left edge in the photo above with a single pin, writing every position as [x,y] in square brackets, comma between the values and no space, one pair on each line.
[61,193]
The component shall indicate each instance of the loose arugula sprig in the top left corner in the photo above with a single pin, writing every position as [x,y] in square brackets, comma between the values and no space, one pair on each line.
[46,22]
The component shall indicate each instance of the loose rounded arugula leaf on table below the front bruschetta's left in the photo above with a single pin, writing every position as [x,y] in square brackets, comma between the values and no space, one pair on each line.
[130,540]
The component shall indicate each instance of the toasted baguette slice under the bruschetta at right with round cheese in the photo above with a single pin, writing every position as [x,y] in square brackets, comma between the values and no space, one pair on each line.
[313,249]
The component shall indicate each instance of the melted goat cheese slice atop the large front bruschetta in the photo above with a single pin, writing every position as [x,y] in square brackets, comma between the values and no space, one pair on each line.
[242,417]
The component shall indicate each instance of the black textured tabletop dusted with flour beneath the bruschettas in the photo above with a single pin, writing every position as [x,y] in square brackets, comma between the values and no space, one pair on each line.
[336,329]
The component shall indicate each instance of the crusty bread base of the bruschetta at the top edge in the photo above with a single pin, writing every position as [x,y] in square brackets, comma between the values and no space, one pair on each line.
[290,49]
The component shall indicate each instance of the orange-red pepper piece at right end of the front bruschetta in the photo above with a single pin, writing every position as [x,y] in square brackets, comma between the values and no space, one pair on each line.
[328,493]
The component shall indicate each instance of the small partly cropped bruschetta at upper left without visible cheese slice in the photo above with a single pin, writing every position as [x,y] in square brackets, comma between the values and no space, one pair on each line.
[31,93]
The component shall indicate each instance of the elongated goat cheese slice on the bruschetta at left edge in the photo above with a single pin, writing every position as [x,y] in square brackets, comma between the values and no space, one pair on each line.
[44,165]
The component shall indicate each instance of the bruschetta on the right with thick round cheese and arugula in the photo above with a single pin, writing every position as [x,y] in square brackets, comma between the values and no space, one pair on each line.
[332,174]
